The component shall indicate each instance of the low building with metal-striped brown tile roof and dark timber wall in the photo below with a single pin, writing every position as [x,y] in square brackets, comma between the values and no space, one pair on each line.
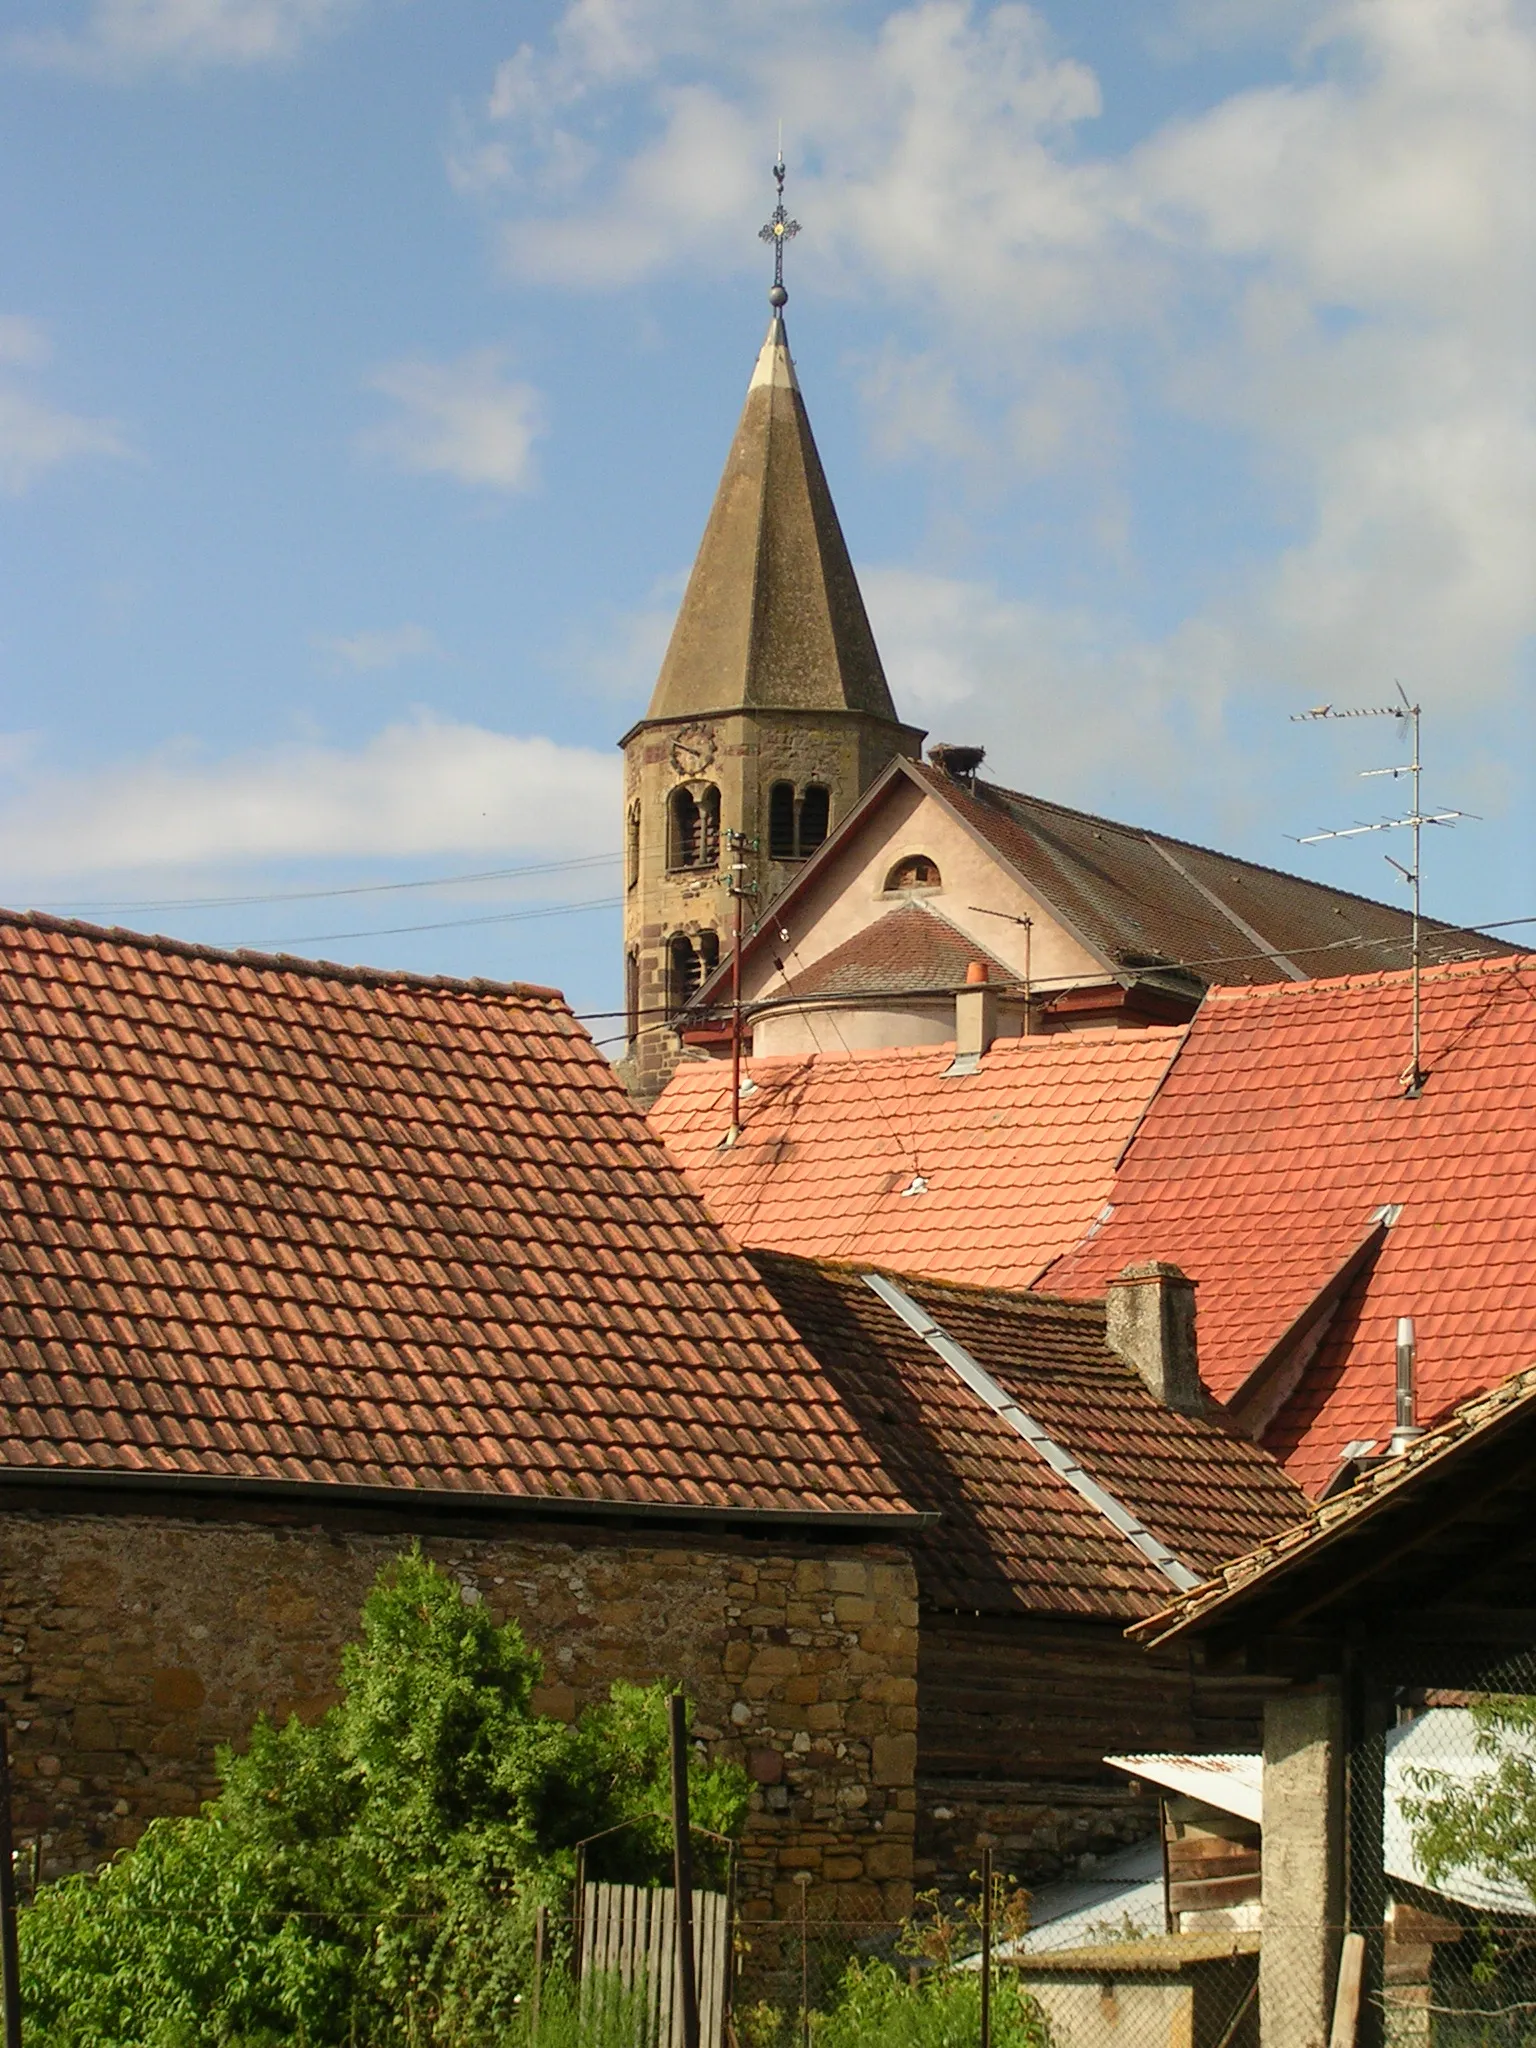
[1066,1498]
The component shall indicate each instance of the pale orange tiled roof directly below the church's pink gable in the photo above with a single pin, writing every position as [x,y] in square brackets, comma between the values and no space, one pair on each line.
[1013,1160]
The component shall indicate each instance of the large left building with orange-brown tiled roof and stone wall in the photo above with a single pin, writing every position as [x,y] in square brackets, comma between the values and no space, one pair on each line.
[300,1265]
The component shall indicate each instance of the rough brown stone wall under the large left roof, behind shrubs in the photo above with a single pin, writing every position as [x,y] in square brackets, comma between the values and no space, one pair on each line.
[136,1644]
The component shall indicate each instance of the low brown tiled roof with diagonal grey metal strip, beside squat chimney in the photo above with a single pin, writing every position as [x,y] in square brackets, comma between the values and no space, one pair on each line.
[1013,1535]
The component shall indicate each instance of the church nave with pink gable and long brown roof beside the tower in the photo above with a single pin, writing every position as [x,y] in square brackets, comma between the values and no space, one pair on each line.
[1086,923]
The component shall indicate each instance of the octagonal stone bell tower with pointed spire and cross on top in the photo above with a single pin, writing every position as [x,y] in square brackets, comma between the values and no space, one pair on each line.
[771,714]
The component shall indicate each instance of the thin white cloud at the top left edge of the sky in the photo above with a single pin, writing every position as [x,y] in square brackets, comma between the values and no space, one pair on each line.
[124,38]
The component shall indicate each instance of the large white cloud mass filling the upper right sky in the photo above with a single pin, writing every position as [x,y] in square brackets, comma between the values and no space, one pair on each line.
[1336,273]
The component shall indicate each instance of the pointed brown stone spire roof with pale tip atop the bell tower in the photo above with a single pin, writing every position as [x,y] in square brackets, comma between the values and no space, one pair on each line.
[773,615]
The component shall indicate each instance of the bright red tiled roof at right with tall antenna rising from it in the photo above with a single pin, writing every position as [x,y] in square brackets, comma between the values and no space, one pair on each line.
[1275,1142]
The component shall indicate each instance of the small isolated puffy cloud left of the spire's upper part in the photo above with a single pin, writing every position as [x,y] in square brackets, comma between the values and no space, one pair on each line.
[464,419]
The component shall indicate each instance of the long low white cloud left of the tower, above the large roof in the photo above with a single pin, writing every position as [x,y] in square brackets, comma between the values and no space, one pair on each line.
[421,787]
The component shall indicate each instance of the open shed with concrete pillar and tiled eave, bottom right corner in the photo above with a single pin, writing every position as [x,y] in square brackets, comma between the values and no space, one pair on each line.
[1396,1639]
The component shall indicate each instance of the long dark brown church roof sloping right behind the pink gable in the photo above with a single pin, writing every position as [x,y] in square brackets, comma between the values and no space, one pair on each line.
[1146,900]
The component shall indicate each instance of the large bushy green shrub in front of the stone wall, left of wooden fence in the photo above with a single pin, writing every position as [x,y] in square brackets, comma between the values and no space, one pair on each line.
[368,1881]
